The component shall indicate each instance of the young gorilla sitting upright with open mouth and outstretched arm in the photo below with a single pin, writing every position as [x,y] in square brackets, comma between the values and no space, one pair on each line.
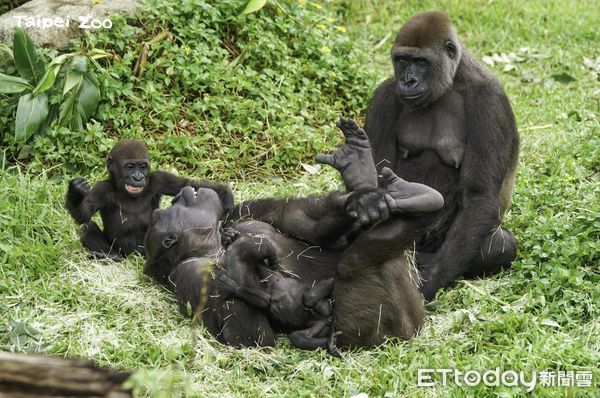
[126,200]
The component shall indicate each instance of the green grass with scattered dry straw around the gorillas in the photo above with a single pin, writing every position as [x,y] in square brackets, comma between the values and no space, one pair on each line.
[543,314]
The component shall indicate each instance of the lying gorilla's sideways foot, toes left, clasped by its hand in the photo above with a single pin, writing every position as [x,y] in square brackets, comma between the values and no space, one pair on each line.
[410,197]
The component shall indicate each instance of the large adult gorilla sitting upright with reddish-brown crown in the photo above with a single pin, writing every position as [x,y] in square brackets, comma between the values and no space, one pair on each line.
[445,121]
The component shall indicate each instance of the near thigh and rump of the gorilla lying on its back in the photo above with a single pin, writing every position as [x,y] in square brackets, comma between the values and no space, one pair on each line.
[375,292]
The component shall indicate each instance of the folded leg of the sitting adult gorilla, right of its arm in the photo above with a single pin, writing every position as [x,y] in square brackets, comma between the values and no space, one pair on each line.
[498,250]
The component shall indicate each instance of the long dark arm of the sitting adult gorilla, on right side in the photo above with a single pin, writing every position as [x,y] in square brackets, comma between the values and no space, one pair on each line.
[490,158]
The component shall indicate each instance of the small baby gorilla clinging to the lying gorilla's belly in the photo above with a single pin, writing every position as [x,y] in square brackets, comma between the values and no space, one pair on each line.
[253,274]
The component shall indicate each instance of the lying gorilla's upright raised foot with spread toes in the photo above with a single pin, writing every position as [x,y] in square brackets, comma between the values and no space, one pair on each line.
[354,159]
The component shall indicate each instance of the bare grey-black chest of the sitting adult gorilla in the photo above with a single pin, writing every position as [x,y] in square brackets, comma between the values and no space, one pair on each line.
[439,128]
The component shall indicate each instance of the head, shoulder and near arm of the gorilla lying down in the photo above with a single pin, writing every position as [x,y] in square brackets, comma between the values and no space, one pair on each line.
[183,246]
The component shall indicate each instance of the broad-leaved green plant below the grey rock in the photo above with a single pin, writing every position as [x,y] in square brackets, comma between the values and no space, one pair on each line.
[75,103]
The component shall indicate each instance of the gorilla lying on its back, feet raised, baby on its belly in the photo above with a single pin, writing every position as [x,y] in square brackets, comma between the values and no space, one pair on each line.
[283,260]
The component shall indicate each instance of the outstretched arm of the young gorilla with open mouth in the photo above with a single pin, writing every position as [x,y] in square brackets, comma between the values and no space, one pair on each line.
[169,184]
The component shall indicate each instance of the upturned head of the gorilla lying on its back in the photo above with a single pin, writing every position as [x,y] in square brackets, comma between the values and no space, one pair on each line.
[190,227]
